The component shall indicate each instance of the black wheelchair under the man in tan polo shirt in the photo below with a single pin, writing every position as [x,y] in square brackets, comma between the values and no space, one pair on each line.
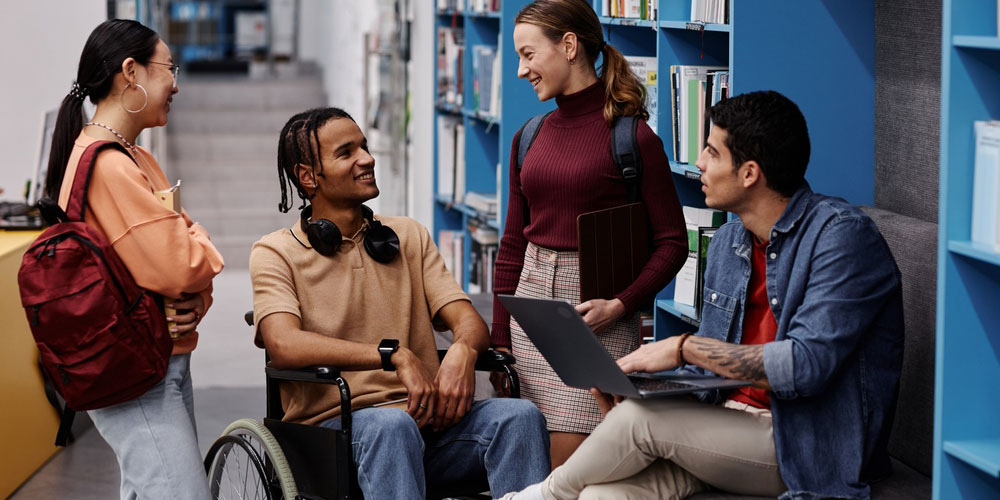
[284,460]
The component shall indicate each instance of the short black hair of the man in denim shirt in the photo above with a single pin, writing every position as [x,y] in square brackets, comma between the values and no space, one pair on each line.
[768,128]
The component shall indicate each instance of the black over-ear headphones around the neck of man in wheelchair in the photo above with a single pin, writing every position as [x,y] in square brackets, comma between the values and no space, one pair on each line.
[381,242]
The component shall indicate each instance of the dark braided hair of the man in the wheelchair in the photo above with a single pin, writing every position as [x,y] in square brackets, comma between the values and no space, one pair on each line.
[299,145]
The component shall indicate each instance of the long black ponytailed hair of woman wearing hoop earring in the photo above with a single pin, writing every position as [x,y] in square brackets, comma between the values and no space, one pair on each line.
[108,46]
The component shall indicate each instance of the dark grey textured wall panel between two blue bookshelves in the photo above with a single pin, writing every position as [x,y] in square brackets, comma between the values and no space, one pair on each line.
[907,106]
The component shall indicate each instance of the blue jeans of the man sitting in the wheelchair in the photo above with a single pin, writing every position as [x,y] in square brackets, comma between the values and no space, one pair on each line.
[503,441]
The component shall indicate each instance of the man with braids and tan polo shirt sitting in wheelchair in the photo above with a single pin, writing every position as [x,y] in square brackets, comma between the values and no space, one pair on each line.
[347,289]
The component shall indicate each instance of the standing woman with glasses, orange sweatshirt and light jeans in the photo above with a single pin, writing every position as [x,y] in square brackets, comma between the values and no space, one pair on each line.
[128,72]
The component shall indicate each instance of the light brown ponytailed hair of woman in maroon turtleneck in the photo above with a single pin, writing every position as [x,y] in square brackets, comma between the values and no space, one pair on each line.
[626,96]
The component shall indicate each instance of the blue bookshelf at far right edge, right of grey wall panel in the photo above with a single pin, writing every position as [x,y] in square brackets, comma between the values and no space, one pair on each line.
[966,434]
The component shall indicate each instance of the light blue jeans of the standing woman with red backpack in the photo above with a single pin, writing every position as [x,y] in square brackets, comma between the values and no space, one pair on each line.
[155,440]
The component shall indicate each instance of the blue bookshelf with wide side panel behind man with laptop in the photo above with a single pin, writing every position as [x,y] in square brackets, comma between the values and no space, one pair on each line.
[808,50]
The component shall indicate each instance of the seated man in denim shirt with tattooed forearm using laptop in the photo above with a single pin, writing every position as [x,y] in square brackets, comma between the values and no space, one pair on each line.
[802,298]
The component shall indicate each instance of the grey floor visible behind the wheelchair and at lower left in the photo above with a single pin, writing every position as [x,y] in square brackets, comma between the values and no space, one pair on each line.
[227,371]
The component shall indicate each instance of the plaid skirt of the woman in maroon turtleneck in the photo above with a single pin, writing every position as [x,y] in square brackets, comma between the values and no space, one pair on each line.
[556,275]
